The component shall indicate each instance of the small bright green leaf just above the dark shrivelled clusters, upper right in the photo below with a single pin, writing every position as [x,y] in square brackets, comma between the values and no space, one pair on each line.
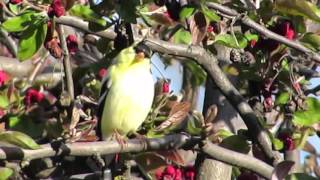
[230,41]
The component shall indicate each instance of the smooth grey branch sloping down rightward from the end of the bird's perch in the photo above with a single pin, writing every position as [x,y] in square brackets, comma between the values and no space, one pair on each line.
[237,159]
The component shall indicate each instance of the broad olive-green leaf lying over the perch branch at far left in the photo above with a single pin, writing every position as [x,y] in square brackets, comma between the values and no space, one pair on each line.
[20,139]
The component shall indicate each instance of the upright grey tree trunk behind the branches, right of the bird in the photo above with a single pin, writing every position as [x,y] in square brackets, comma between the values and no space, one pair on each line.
[227,118]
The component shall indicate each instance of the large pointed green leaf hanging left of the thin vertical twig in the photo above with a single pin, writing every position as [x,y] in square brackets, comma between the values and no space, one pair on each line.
[32,39]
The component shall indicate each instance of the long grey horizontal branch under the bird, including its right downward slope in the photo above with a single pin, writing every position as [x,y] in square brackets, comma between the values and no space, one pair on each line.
[174,141]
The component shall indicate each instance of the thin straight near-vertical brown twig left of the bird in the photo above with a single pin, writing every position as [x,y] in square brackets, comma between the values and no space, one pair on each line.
[66,61]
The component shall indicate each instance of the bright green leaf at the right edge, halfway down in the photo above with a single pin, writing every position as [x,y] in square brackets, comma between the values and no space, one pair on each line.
[310,116]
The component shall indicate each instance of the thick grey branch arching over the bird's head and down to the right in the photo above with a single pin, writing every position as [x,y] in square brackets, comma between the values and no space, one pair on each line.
[210,64]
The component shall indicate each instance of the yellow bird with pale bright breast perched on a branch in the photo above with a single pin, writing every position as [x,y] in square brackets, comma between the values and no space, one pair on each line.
[130,95]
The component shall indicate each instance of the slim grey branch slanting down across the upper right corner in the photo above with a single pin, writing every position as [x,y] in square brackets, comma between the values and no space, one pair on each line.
[266,32]
